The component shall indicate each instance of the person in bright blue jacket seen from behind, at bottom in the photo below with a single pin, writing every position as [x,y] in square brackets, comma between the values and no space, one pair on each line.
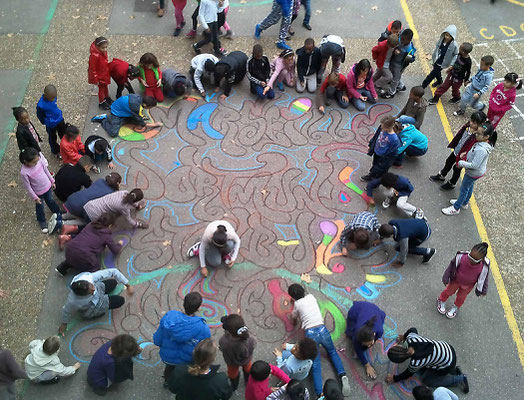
[179,332]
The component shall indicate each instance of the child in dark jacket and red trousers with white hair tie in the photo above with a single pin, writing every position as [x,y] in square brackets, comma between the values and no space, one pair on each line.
[237,347]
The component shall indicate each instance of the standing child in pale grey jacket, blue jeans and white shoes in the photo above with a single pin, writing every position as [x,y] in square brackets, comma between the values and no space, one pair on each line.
[475,165]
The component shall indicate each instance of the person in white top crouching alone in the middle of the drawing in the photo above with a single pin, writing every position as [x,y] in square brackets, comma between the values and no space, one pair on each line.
[219,243]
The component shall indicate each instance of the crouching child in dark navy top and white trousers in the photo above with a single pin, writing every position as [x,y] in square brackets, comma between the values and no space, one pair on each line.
[398,187]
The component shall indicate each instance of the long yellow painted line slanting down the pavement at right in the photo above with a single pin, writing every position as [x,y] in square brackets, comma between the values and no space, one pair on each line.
[495,271]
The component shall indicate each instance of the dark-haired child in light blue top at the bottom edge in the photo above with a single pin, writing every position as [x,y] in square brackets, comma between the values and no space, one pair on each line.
[296,359]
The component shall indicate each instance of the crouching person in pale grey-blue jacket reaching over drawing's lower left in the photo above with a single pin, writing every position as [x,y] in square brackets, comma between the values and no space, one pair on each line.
[89,295]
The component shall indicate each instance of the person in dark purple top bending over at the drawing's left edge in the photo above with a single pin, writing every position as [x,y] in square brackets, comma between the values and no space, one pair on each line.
[83,252]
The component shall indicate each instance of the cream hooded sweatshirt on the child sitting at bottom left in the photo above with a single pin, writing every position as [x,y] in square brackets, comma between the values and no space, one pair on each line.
[38,362]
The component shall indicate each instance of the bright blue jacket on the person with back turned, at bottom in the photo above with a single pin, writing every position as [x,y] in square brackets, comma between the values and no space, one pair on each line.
[177,336]
